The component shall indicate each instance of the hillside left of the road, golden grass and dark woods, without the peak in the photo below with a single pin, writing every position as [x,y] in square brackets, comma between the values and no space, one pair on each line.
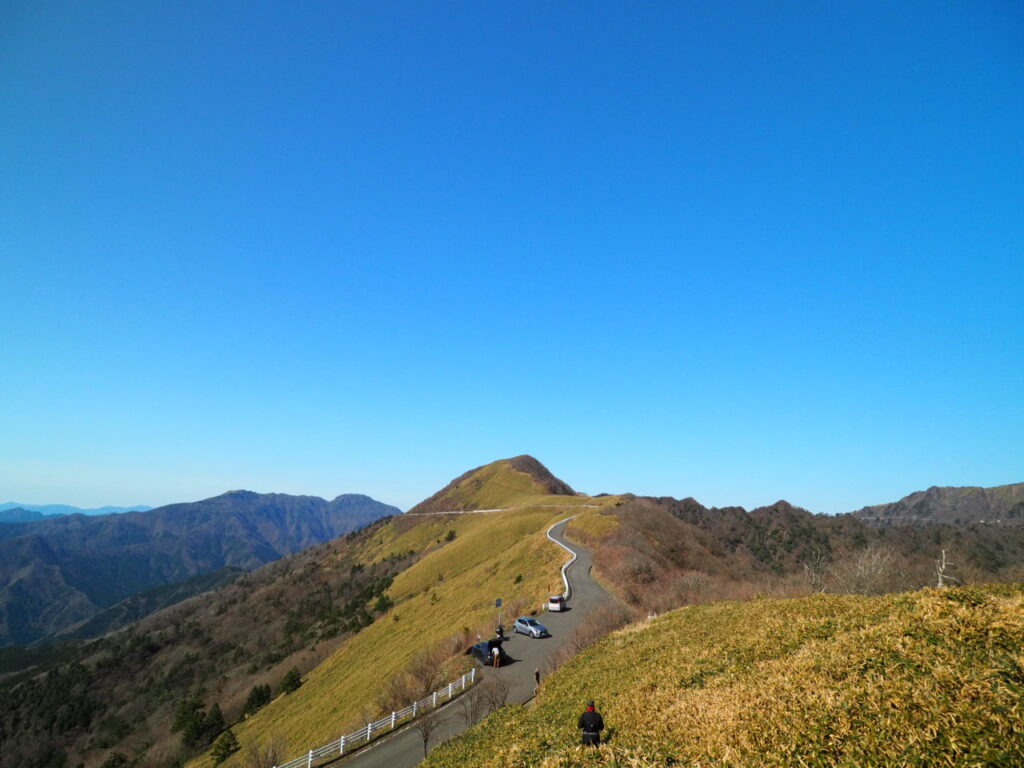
[349,615]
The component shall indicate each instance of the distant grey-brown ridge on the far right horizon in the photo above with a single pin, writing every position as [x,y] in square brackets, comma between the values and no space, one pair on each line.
[1003,505]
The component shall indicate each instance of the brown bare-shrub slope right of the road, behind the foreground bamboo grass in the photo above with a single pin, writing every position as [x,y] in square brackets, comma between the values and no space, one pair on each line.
[662,553]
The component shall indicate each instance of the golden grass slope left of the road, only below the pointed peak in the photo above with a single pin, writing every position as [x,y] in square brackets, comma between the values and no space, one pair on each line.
[452,587]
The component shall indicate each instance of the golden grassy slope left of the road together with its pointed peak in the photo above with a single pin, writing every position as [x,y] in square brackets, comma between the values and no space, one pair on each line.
[468,562]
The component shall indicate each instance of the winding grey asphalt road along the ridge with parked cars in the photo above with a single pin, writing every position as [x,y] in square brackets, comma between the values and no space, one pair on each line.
[404,749]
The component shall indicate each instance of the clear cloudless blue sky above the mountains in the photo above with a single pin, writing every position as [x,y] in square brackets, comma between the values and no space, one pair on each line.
[737,251]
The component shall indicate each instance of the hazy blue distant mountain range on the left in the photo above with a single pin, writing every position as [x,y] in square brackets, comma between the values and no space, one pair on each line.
[61,571]
